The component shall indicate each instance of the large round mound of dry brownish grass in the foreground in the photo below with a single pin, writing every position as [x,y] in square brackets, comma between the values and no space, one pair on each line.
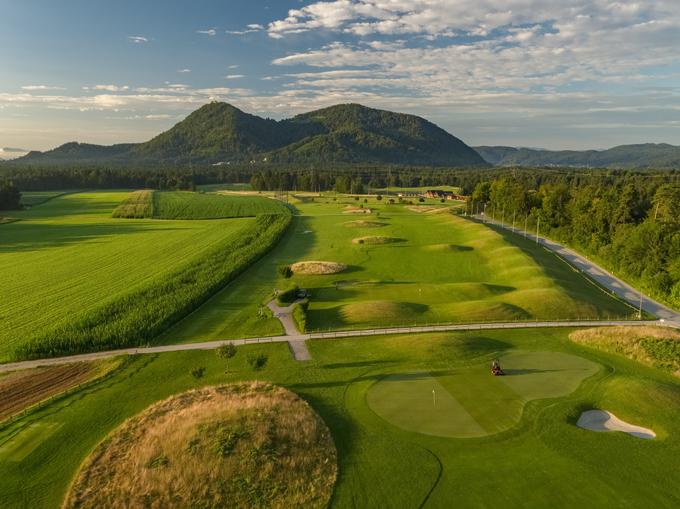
[241,445]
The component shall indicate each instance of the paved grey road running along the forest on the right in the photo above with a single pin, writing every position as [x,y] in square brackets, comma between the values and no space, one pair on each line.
[605,279]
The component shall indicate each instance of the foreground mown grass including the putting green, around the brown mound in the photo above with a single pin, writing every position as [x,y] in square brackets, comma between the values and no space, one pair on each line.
[479,440]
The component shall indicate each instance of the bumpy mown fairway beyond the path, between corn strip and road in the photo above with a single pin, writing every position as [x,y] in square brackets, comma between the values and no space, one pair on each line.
[448,270]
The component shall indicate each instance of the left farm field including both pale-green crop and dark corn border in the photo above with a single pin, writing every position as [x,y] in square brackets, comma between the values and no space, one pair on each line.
[73,275]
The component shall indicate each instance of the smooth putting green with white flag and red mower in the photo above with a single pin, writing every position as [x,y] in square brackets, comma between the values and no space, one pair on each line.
[470,402]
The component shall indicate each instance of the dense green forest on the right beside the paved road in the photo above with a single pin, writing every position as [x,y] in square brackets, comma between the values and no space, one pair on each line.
[630,224]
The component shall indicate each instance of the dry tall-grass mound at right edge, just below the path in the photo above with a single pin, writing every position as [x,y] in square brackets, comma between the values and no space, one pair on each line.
[653,346]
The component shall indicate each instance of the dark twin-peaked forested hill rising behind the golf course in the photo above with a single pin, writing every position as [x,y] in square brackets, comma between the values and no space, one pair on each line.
[219,133]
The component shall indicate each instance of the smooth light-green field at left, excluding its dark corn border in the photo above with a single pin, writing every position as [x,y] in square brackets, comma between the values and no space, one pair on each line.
[68,256]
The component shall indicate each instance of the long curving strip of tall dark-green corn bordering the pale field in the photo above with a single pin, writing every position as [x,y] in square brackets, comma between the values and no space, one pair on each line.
[137,317]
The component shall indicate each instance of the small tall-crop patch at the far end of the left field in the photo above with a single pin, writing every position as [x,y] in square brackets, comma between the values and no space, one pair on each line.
[188,205]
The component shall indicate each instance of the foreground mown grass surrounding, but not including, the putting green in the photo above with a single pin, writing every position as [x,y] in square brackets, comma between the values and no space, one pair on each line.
[544,460]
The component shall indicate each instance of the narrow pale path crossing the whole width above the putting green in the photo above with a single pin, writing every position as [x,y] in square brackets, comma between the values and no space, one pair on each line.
[210,345]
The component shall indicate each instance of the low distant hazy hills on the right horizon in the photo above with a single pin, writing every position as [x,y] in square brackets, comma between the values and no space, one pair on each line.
[648,155]
